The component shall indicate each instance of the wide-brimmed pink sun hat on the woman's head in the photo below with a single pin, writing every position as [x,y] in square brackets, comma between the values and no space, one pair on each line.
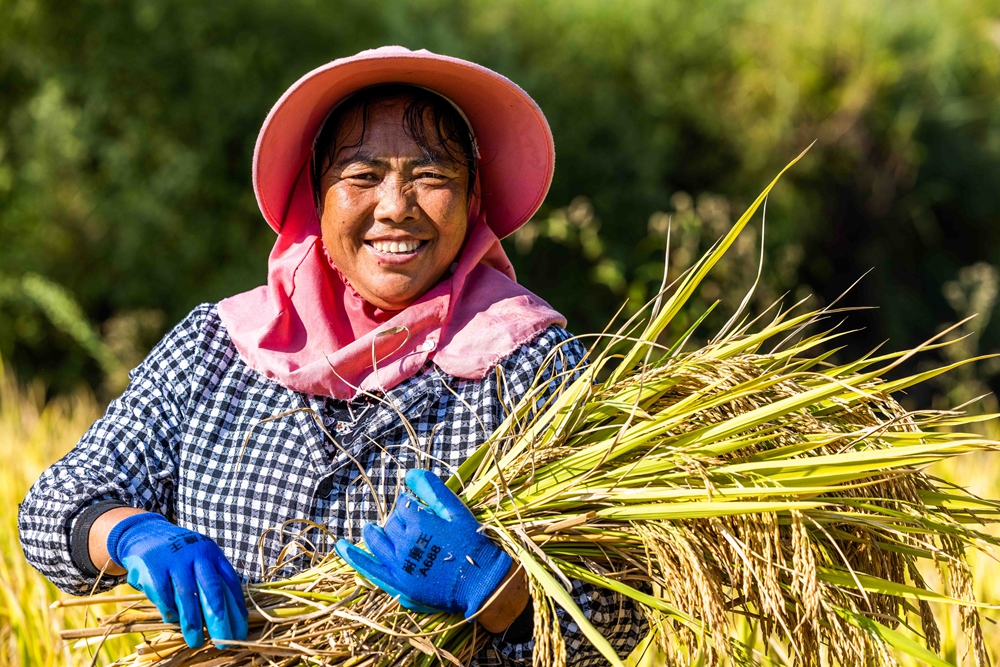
[517,155]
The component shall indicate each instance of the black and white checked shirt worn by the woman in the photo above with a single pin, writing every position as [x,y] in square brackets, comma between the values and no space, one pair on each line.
[176,442]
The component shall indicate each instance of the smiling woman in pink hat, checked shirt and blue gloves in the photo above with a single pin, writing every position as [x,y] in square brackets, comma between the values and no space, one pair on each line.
[391,315]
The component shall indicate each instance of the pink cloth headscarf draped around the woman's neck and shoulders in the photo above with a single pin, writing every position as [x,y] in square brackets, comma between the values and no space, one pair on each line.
[310,331]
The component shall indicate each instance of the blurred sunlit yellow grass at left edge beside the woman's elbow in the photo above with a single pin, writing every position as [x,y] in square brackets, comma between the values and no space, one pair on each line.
[33,434]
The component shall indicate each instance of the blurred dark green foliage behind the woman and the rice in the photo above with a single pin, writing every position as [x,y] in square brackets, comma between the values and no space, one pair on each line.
[127,127]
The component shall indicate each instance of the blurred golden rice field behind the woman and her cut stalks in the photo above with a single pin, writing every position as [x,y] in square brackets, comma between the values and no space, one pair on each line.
[34,433]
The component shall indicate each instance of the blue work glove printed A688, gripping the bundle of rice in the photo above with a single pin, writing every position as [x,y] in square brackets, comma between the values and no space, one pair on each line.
[430,554]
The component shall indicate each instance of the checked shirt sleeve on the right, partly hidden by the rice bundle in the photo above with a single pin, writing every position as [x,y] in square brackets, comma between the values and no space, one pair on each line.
[552,357]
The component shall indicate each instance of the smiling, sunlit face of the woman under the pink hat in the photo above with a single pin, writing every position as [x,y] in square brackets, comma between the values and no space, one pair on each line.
[393,215]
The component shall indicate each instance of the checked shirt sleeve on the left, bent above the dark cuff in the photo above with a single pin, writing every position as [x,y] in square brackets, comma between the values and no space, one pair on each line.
[128,457]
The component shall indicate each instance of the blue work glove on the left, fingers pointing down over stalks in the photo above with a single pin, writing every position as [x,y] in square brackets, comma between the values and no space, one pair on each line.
[184,574]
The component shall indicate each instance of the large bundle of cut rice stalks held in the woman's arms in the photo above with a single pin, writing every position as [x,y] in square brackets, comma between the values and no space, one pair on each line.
[749,479]
